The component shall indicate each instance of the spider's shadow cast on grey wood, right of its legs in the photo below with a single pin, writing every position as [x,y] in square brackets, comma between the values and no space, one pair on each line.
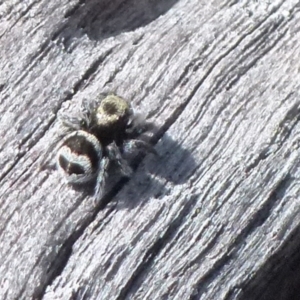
[155,176]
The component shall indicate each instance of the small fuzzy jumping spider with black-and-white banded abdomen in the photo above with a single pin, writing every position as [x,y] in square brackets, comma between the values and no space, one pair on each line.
[105,132]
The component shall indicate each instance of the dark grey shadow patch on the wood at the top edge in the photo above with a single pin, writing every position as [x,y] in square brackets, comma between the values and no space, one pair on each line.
[102,19]
